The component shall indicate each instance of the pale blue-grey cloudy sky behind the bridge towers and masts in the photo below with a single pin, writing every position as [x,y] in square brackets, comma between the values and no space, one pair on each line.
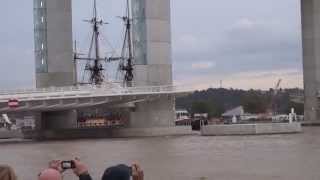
[245,44]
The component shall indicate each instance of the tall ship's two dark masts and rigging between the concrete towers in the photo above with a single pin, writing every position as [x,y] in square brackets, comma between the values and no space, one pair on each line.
[94,66]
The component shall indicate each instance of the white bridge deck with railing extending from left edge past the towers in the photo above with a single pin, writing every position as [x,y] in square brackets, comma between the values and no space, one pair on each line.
[74,97]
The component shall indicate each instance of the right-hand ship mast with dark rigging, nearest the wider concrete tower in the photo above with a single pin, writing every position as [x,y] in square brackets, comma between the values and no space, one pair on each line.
[127,55]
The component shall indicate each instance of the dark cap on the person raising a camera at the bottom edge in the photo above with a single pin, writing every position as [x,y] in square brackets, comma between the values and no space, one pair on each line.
[119,172]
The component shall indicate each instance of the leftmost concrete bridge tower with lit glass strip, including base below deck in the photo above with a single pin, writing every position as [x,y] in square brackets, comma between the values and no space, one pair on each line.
[54,55]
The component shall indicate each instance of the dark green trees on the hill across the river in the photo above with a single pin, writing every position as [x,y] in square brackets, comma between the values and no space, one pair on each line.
[216,101]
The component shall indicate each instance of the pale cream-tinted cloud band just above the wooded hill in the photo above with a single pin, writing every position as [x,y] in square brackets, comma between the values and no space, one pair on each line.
[291,78]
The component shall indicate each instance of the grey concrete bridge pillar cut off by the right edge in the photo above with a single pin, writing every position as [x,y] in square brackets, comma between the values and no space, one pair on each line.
[310,11]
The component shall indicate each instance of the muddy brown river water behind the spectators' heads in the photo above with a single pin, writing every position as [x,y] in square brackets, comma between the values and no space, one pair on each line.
[280,157]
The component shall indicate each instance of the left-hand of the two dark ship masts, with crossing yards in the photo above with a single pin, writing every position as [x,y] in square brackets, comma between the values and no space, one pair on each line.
[94,63]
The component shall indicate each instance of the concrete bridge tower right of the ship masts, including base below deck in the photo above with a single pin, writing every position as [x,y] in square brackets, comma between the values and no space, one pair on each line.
[153,64]
